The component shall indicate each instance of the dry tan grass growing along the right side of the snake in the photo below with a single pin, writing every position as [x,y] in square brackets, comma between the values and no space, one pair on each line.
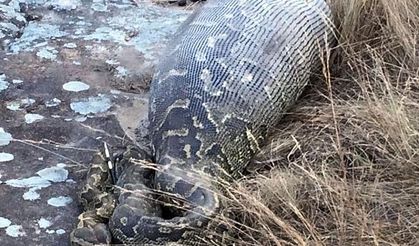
[343,167]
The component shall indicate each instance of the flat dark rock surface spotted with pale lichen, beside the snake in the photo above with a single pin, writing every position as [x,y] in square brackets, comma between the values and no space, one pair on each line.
[67,72]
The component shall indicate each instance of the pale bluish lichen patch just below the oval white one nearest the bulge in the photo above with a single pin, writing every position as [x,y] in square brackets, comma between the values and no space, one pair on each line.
[92,105]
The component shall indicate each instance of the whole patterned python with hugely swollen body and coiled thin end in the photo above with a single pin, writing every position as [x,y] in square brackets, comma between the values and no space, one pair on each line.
[228,76]
